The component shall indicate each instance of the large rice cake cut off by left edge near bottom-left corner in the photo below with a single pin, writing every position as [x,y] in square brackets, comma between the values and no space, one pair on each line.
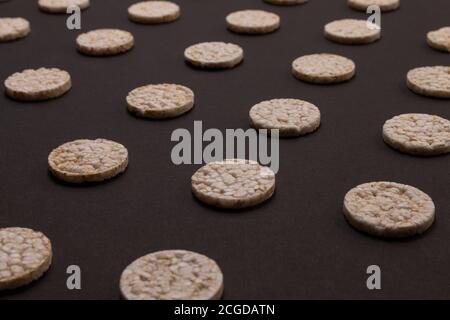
[25,255]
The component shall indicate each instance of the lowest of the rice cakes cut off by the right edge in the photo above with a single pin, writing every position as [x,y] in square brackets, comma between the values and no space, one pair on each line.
[418,134]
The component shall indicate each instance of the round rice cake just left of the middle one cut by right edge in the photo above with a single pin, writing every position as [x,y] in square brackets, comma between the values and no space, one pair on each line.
[323,68]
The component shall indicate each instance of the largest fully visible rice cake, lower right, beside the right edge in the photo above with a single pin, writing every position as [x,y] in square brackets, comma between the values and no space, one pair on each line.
[389,210]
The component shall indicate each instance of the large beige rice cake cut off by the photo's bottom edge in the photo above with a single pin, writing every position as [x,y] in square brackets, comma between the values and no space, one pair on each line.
[172,275]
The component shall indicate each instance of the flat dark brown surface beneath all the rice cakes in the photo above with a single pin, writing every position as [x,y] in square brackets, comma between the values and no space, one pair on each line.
[297,245]
